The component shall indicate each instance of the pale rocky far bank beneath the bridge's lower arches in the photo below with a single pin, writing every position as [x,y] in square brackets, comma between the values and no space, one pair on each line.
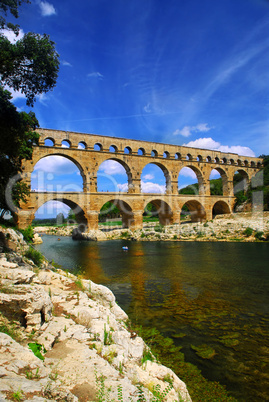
[243,226]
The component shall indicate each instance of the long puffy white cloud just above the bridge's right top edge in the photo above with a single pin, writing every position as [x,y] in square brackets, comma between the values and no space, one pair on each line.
[209,143]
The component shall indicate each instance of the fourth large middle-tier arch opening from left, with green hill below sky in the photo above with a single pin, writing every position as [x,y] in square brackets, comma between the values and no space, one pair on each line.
[190,181]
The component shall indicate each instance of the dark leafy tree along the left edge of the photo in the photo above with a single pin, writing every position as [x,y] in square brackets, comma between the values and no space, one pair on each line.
[30,66]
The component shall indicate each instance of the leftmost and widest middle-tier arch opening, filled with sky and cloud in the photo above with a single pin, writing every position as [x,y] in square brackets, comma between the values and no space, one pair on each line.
[58,174]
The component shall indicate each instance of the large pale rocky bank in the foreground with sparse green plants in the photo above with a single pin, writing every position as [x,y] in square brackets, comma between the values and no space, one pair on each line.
[66,339]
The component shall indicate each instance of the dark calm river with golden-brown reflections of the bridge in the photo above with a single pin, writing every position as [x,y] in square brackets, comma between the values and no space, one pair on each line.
[198,293]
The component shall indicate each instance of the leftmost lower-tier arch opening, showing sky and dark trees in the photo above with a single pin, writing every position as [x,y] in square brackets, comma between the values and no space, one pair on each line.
[60,211]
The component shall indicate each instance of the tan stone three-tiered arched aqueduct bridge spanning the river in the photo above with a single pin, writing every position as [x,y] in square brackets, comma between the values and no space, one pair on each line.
[134,155]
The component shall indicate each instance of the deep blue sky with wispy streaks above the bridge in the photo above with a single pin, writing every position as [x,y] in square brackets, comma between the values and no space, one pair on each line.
[175,71]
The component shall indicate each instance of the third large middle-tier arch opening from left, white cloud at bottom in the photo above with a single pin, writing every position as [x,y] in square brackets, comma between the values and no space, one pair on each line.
[155,178]
